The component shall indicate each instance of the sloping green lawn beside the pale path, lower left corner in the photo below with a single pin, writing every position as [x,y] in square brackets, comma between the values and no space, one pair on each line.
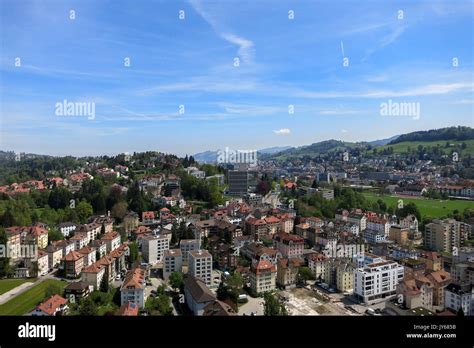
[27,301]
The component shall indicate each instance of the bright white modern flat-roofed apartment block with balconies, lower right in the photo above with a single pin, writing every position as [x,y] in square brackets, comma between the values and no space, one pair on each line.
[377,280]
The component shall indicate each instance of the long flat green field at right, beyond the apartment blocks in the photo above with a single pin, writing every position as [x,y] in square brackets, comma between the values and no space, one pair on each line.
[428,207]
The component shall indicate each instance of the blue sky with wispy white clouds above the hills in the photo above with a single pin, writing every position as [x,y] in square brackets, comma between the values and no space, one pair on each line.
[190,62]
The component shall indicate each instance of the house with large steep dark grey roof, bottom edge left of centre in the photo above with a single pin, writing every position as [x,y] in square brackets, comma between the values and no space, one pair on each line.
[197,294]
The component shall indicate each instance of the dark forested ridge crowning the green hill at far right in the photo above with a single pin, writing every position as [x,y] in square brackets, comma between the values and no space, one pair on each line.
[450,133]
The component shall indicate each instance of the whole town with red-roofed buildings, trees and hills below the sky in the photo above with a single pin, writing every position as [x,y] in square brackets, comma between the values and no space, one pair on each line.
[353,230]
